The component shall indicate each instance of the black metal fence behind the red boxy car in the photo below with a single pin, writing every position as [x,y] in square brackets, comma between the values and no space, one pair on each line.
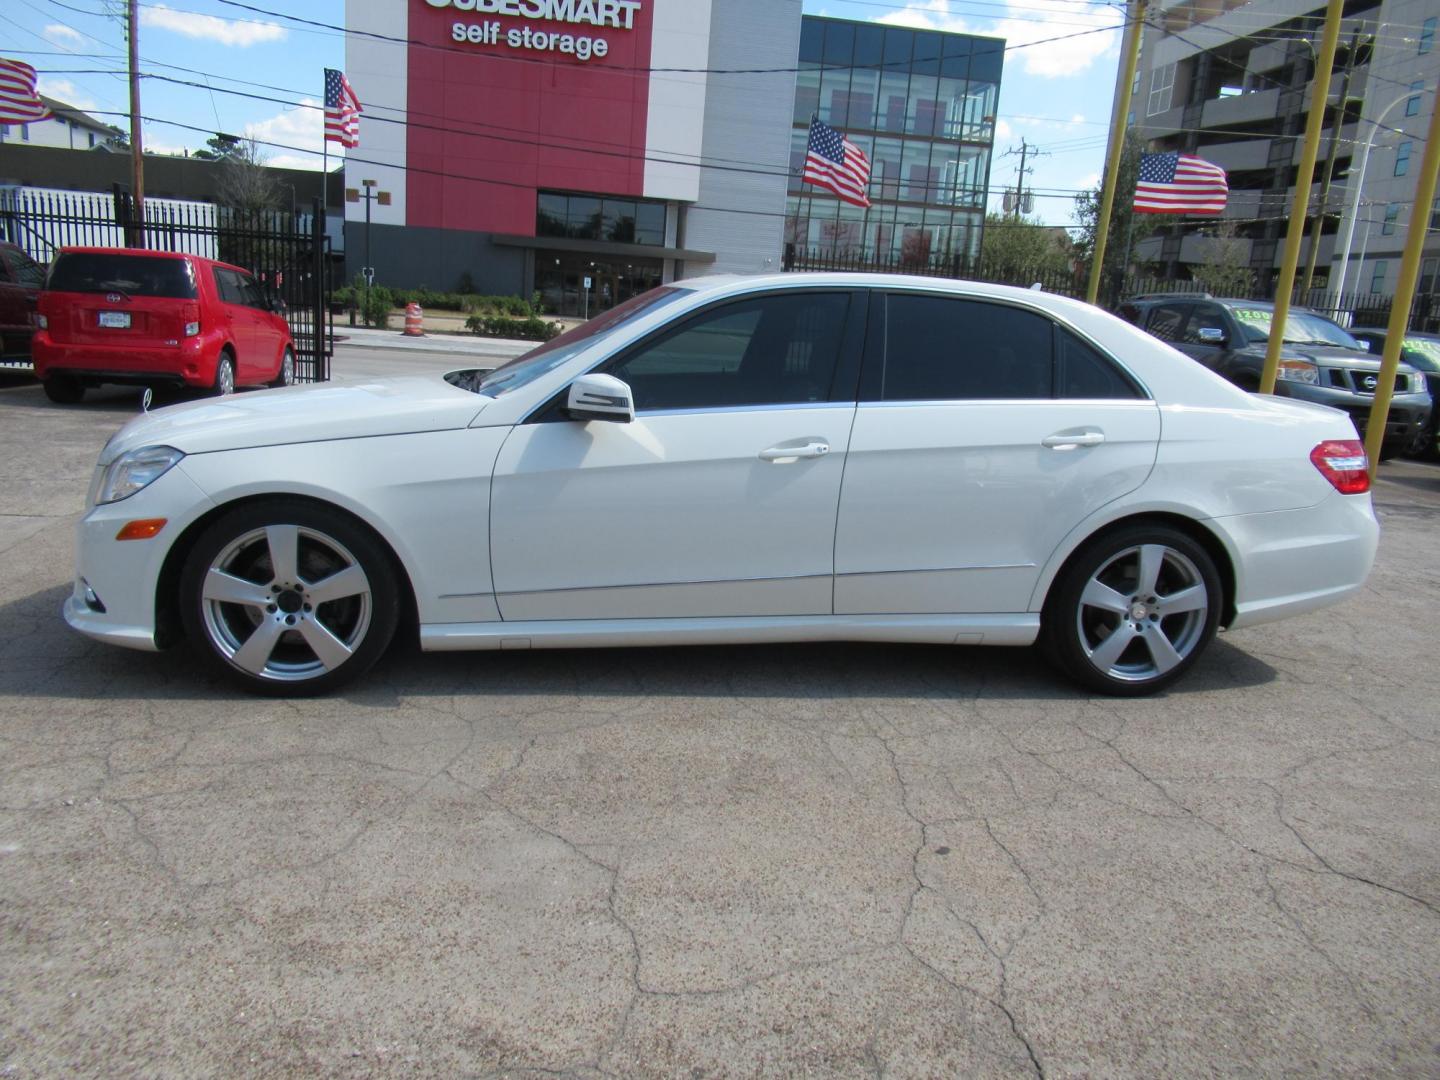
[289,254]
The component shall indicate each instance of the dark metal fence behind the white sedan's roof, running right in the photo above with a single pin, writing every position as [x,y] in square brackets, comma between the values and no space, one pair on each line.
[1347,309]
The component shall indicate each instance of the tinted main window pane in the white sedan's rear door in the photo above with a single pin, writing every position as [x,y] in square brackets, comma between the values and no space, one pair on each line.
[948,349]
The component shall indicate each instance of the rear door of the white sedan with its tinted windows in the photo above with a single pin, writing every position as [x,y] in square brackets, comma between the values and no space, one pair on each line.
[986,433]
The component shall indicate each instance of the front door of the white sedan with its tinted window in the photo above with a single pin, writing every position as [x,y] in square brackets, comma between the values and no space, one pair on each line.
[719,499]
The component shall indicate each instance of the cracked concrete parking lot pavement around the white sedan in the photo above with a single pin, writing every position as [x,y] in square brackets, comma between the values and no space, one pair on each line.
[714,862]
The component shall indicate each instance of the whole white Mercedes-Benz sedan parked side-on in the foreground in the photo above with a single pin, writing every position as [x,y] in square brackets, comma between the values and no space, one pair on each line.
[823,457]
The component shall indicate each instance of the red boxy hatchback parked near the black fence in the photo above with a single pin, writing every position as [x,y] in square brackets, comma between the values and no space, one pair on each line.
[156,319]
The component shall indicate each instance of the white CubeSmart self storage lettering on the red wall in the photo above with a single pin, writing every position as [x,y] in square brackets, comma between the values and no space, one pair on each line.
[601,14]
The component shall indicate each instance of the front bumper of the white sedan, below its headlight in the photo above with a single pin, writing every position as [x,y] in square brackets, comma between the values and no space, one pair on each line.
[125,574]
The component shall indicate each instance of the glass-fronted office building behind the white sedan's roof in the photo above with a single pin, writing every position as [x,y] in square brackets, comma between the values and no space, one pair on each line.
[922,107]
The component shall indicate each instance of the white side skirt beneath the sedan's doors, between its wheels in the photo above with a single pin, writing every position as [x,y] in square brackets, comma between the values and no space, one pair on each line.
[938,630]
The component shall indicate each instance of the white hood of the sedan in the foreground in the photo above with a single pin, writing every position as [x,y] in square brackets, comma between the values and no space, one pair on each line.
[302,414]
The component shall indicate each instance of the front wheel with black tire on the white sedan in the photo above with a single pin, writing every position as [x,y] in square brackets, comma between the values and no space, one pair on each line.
[231,593]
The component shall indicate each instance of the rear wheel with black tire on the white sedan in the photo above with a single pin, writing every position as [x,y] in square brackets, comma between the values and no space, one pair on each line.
[1157,647]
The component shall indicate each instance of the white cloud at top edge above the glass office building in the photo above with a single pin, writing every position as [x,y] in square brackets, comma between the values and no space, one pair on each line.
[1084,32]
